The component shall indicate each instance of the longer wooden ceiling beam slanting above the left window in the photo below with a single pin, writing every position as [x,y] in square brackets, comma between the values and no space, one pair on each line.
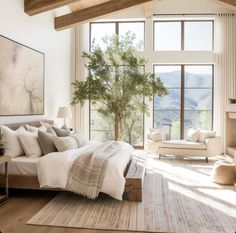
[93,12]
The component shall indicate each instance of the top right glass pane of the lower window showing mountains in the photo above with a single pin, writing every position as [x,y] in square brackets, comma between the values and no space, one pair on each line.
[198,76]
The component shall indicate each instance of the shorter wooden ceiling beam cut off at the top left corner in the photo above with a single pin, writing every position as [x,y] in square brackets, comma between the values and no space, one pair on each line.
[33,7]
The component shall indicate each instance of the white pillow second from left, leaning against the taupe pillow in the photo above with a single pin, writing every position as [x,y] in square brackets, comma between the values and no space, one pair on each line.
[30,144]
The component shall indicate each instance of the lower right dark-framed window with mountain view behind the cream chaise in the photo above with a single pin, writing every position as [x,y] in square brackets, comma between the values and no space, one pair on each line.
[189,102]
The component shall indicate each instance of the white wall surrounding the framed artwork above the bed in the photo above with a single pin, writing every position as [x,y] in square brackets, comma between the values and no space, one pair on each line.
[38,32]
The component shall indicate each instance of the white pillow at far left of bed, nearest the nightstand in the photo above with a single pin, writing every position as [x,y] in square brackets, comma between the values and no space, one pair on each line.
[12,143]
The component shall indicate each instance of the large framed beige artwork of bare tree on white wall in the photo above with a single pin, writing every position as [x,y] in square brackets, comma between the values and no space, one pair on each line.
[21,79]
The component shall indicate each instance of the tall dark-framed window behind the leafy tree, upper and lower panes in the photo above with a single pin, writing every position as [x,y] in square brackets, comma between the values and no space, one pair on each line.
[102,129]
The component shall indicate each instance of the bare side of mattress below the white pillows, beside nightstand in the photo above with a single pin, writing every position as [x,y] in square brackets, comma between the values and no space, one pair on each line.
[21,165]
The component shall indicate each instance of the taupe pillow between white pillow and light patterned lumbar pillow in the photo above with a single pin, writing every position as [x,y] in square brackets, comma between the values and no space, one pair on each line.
[46,141]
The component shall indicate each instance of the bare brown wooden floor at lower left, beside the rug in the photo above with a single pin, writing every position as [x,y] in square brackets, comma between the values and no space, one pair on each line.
[22,205]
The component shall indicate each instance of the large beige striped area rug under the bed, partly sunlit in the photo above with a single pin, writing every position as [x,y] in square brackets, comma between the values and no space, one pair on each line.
[178,197]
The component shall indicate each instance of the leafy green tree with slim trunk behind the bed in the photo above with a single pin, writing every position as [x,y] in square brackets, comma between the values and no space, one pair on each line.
[116,79]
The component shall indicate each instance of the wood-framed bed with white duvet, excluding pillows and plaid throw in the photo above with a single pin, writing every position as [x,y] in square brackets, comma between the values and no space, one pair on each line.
[24,172]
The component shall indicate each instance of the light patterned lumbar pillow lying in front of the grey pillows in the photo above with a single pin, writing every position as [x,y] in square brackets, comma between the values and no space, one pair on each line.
[65,143]
